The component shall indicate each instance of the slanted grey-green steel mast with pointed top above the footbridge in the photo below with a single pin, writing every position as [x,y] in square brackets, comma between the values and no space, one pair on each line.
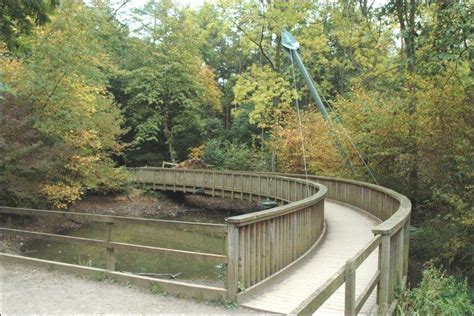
[291,47]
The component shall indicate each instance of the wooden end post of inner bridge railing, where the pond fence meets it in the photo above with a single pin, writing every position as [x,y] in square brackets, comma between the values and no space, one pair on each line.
[232,261]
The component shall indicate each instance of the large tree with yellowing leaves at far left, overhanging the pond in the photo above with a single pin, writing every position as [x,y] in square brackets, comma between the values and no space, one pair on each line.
[61,91]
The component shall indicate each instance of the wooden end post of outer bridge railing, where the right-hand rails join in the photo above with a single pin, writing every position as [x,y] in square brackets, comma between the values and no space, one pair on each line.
[384,284]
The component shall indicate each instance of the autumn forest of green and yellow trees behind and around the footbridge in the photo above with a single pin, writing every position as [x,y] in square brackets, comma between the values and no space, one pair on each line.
[87,88]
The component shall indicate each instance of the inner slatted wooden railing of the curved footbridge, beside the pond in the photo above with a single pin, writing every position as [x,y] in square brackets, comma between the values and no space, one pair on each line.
[259,244]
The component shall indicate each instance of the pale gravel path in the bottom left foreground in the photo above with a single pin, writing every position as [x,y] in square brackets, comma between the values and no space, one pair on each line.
[27,290]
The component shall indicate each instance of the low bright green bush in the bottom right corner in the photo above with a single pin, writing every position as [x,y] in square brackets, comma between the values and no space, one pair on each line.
[437,294]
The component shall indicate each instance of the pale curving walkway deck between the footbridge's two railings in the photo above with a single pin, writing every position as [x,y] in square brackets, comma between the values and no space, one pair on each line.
[347,232]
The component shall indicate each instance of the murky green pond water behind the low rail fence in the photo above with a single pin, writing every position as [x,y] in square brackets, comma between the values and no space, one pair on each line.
[136,262]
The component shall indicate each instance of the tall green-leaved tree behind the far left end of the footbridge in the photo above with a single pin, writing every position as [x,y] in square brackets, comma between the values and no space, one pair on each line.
[171,88]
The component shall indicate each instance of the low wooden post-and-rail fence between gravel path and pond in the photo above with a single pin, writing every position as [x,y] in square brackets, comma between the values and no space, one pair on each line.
[110,247]
